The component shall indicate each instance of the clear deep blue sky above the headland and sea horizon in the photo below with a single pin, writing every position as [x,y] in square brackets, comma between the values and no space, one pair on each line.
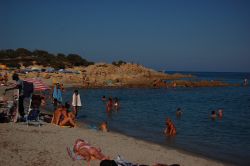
[186,35]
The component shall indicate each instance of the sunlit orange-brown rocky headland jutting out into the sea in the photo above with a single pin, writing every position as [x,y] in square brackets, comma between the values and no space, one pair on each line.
[102,75]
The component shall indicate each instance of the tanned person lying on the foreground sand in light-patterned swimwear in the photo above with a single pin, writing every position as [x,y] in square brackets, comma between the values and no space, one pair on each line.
[86,151]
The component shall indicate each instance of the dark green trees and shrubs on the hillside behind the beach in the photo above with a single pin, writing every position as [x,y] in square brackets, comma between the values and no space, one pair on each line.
[13,58]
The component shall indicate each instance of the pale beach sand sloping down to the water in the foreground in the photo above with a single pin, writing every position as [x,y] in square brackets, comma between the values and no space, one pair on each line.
[46,145]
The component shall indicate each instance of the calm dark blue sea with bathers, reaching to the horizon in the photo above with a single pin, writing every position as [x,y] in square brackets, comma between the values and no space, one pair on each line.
[143,113]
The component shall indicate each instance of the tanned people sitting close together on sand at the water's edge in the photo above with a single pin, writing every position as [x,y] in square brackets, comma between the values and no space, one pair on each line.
[63,116]
